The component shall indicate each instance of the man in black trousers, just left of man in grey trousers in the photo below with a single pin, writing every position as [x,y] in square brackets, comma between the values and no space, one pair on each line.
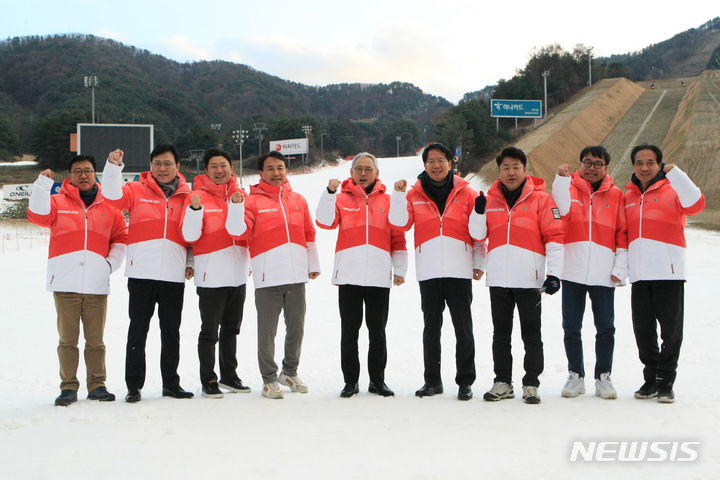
[221,271]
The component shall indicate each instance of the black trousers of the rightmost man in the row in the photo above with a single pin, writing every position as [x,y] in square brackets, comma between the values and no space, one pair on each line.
[653,302]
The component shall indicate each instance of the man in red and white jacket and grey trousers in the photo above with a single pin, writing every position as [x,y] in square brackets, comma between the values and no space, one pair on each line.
[283,256]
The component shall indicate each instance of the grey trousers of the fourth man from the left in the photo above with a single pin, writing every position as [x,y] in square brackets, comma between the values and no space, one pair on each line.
[269,301]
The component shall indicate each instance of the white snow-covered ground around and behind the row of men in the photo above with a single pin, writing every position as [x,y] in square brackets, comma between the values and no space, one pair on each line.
[319,435]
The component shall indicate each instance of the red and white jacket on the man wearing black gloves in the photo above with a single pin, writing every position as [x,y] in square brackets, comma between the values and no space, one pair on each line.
[522,238]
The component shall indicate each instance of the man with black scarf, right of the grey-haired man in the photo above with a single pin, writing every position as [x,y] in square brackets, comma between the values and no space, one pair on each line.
[446,258]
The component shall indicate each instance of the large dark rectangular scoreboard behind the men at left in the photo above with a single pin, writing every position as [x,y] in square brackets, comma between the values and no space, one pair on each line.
[99,139]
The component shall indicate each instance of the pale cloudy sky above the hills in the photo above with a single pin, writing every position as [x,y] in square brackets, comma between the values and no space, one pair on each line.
[447,48]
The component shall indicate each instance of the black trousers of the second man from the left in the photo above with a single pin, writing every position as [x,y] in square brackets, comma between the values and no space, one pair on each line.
[144,294]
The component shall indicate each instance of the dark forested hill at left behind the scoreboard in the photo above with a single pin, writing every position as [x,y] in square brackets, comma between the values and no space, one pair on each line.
[40,75]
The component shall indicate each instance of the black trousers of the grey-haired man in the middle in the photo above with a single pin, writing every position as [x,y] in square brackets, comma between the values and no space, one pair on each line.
[351,299]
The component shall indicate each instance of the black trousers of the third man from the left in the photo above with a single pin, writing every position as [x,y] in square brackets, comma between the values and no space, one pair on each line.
[222,308]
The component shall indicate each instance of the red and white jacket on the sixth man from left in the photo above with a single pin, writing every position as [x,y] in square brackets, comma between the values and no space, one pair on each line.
[443,247]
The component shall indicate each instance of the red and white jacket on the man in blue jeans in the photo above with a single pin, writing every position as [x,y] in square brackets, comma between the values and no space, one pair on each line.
[595,232]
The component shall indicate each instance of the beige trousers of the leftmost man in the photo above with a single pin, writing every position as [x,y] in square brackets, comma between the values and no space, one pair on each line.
[91,309]
